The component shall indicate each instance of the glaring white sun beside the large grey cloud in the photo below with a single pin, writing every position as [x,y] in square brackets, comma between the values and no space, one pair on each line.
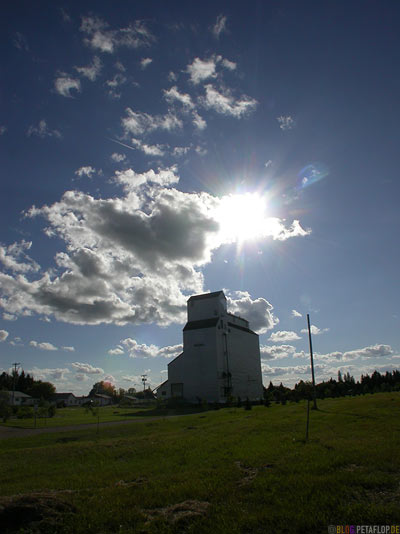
[242,217]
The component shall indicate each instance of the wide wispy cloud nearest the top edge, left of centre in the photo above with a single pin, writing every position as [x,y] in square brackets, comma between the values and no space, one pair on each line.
[102,38]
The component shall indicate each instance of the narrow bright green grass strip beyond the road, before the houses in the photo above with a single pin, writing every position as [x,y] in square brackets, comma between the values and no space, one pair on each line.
[77,416]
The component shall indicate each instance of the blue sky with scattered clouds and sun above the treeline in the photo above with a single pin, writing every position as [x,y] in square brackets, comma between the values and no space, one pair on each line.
[150,151]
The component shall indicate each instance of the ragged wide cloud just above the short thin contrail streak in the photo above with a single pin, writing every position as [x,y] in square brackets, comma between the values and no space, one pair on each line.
[139,123]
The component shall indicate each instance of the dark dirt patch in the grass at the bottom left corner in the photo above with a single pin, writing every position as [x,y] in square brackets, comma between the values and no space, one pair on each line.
[40,512]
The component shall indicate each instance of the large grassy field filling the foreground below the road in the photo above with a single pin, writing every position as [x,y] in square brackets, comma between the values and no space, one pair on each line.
[226,471]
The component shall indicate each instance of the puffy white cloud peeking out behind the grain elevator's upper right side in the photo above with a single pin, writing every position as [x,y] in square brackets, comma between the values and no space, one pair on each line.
[258,311]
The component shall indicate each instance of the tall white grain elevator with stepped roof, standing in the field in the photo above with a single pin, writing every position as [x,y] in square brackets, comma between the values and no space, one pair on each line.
[220,358]
